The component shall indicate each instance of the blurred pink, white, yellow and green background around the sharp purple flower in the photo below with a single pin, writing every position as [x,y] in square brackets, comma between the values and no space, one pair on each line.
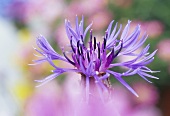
[21,21]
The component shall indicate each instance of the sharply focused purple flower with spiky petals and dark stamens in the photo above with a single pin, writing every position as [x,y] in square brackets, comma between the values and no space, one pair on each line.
[94,62]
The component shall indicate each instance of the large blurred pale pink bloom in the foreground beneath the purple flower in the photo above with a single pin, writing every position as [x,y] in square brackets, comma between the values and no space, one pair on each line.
[54,100]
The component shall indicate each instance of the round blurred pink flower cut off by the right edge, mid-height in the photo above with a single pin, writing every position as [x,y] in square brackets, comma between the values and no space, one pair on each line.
[164,49]
